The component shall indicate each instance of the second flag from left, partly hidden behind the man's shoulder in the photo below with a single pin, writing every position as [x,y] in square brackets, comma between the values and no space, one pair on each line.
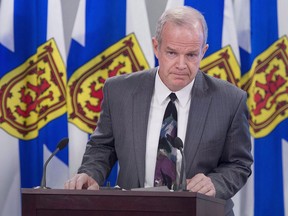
[107,40]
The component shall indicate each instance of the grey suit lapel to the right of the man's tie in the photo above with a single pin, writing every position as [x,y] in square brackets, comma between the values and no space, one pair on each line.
[200,101]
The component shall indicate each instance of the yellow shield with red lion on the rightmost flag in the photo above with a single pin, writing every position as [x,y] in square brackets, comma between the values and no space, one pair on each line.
[267,86]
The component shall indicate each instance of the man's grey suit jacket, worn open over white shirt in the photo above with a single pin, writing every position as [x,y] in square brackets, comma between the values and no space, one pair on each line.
[217,140]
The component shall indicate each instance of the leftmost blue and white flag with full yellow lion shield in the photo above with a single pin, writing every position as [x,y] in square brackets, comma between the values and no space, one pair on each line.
[33,97]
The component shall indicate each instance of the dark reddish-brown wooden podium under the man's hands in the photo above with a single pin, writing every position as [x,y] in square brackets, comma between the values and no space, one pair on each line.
[60,202]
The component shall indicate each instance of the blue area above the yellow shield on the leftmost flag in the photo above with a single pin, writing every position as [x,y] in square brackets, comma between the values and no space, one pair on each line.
[29,32]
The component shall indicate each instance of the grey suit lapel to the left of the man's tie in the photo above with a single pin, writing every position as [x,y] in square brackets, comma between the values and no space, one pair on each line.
[141,108]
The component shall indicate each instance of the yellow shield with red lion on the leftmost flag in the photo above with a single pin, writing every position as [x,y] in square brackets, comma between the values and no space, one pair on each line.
[34,93]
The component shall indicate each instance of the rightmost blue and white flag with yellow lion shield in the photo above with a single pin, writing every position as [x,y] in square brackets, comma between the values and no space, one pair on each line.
[264,68]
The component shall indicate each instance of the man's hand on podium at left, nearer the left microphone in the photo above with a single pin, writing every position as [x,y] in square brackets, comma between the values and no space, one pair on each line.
[81,181]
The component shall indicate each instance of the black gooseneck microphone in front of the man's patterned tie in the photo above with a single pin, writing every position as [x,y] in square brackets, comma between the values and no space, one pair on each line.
[177,143]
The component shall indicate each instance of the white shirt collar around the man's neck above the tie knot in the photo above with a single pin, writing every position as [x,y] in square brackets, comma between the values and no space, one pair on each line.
[162,92]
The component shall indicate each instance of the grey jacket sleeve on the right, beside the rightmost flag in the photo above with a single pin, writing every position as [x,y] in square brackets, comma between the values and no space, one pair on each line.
[234,165]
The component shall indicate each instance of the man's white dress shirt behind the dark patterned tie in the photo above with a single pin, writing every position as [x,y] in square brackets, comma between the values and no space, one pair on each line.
[159,103]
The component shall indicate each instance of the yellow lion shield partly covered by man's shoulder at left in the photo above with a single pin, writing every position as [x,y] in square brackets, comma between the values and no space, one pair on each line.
[85,85]
